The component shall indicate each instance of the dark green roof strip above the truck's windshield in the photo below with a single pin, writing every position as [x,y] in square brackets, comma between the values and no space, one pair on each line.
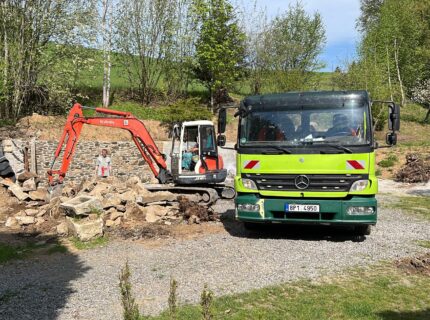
[308,99]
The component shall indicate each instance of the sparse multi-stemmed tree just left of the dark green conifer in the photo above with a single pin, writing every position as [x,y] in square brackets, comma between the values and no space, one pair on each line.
[145,37]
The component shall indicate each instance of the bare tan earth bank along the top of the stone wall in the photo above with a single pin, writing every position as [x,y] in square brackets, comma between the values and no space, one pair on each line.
[51,128]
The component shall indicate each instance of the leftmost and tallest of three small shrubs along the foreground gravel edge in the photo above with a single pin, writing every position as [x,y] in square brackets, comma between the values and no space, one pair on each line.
[130,308]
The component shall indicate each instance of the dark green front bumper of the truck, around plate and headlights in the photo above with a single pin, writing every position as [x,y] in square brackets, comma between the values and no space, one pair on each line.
[332,211]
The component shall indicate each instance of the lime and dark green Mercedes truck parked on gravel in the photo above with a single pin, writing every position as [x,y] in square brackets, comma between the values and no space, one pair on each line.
[308,158]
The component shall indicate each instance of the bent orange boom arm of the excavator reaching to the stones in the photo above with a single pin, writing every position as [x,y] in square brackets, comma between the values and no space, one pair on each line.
[118,119]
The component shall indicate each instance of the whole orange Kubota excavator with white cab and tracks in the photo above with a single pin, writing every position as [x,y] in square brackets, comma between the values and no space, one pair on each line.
[204,174]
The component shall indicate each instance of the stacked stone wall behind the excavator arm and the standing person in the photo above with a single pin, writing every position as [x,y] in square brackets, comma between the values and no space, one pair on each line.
[126,159]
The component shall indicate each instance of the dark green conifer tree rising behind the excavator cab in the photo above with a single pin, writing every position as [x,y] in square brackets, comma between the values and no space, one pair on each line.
[220,46]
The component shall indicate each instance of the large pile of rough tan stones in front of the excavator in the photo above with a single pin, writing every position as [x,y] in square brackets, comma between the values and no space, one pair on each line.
[91,208]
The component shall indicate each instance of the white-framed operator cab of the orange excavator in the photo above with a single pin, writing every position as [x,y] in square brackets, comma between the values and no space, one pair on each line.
[194,154]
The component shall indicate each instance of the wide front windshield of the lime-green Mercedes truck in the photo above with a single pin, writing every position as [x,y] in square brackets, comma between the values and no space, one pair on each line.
[306,126]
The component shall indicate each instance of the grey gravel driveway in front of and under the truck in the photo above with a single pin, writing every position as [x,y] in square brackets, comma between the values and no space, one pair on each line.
[85,286]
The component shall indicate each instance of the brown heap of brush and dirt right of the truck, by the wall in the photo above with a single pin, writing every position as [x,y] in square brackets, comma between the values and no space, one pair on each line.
[416,169]
